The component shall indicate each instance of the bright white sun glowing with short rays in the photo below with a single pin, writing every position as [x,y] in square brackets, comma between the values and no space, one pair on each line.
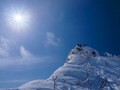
[18,19]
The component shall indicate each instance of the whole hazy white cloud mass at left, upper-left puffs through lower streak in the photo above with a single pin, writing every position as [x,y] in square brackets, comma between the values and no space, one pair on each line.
[24,57]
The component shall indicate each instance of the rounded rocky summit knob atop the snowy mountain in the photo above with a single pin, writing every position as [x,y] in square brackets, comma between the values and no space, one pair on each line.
[80,54]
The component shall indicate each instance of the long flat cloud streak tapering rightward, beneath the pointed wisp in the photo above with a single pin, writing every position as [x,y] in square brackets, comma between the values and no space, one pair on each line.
[21,61]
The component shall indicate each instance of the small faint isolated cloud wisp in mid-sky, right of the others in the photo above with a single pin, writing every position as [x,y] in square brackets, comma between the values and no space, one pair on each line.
[52,39]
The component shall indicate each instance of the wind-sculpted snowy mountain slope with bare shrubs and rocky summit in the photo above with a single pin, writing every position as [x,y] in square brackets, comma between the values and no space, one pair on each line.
[84,69]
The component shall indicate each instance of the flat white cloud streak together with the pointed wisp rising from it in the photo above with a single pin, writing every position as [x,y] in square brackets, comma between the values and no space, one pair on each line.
[25,58]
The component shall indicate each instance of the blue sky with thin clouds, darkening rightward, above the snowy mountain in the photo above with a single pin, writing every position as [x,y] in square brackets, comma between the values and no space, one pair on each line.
[54,28]
